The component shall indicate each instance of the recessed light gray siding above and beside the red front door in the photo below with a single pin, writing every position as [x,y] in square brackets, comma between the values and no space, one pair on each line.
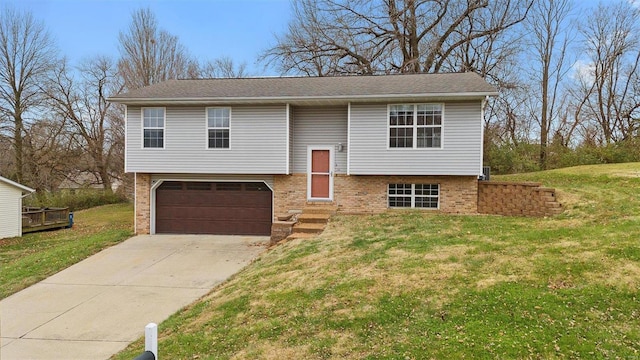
[319,126]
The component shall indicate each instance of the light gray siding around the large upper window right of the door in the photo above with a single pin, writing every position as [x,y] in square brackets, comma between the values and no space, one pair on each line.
[461,153]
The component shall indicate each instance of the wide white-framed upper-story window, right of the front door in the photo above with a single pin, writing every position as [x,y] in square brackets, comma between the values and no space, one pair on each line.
[415,126]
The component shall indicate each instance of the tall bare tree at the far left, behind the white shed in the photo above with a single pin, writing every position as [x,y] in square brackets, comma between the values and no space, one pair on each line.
[27,55]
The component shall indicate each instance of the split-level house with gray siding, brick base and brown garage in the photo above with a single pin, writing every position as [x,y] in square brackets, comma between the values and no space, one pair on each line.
[225,156]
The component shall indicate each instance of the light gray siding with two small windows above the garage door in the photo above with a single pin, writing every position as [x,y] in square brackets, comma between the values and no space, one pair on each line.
[257,142]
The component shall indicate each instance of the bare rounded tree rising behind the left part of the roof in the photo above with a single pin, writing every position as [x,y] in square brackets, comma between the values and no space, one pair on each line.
[149,55]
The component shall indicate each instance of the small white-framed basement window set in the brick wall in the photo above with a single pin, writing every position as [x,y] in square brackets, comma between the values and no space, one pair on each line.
[421,196]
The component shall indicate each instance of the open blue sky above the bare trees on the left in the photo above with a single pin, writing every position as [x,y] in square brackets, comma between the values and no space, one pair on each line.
[239,29]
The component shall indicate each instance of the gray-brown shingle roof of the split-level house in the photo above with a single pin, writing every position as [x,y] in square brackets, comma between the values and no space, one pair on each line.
[292,88]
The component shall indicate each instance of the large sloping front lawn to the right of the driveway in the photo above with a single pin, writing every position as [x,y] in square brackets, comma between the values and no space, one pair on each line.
[417,285]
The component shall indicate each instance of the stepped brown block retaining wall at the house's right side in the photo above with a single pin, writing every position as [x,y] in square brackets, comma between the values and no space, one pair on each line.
[516,199]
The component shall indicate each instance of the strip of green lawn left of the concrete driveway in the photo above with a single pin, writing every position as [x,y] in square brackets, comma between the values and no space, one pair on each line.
[35,256]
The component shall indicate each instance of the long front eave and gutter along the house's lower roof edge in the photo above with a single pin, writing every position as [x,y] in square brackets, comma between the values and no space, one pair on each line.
[294,99]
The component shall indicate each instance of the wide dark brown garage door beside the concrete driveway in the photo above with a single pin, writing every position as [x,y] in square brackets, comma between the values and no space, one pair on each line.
[226,208]
